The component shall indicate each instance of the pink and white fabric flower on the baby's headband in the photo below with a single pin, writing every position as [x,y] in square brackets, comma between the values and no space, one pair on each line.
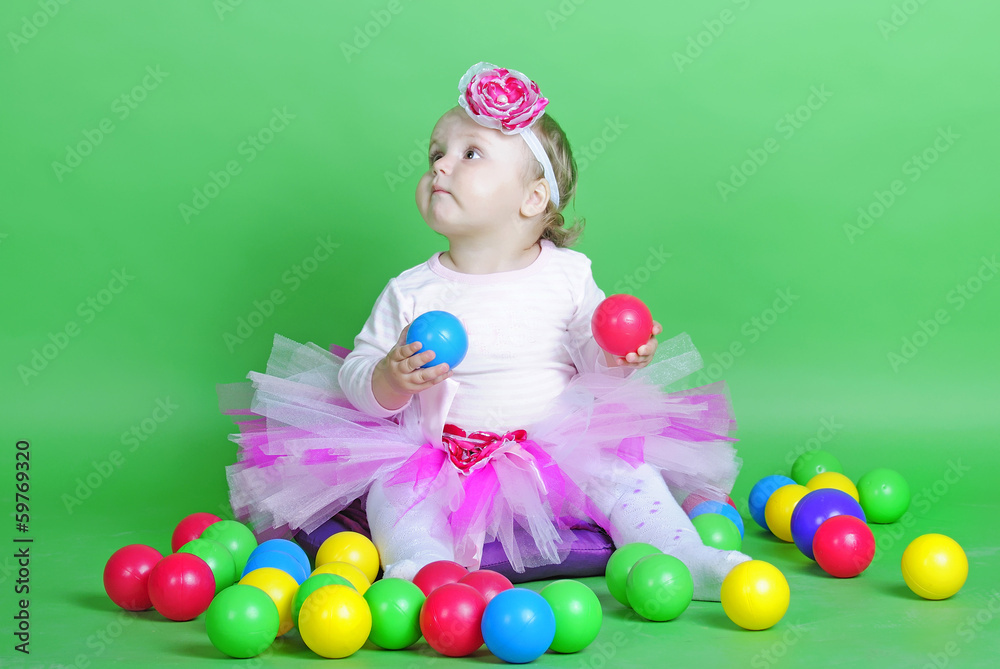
[499,98]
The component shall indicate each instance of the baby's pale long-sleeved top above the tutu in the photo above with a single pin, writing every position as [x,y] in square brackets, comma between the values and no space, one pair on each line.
[529,334]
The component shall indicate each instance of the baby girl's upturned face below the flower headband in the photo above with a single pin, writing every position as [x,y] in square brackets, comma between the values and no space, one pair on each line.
[476,181]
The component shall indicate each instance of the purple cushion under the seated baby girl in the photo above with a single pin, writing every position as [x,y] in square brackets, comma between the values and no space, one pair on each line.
[588,557]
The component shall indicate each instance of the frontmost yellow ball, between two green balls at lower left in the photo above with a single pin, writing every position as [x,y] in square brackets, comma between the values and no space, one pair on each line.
[335,621]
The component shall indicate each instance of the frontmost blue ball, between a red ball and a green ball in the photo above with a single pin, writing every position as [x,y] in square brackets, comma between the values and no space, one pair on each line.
[518,625]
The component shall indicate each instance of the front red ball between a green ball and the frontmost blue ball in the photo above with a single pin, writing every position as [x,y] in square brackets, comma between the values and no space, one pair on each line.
[451,619]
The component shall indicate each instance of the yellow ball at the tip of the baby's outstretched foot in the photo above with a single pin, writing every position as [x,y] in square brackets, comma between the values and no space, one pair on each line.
[755,595]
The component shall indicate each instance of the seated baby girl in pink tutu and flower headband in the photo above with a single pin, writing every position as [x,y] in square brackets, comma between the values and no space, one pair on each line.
[537,429]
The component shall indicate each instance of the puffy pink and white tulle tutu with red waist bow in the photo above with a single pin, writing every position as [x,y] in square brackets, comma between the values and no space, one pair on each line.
[305,453]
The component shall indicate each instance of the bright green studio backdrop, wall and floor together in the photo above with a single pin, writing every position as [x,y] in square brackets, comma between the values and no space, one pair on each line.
[662,101]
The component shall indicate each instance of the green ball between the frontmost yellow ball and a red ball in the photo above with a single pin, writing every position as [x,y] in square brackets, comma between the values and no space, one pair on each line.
[395,605]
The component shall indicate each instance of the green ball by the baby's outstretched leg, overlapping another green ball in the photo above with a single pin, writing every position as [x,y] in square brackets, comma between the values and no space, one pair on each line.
[659,587]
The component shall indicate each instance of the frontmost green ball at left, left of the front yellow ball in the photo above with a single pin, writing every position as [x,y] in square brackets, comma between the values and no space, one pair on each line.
[242,621]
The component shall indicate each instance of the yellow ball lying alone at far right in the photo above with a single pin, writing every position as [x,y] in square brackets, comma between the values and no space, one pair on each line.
[935,566]
